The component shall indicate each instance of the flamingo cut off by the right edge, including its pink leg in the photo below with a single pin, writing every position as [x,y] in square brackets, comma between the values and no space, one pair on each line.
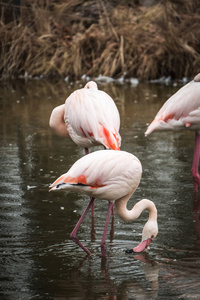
[182,111]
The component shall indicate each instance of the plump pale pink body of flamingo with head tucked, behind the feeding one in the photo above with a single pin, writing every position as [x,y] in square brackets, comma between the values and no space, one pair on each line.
[90,117]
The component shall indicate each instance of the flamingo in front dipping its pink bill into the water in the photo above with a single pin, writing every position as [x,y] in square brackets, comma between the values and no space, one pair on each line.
[113,176]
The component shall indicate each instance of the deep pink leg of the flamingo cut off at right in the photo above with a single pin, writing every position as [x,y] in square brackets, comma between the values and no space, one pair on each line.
[195,164]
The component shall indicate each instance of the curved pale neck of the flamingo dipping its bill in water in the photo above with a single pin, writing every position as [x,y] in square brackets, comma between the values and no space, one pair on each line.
[135,212]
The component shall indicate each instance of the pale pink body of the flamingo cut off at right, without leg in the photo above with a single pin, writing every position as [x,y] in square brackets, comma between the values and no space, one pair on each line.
[180,111]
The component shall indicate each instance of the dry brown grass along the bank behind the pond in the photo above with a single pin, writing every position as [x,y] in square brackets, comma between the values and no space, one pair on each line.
[112,38]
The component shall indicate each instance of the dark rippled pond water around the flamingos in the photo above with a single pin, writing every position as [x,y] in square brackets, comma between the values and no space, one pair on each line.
[38,259]
